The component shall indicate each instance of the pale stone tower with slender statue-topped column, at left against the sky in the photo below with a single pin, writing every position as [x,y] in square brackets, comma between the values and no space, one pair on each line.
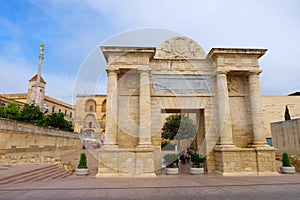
[36,89]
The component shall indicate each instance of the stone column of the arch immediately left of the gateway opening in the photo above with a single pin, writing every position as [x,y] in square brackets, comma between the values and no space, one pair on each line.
[144,109]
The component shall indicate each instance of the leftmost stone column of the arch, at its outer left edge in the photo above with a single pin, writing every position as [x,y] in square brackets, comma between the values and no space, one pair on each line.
[111,109]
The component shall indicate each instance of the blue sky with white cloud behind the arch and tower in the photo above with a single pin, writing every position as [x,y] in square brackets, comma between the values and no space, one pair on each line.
[73,30]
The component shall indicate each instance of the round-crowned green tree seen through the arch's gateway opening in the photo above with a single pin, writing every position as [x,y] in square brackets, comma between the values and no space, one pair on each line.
[178,127]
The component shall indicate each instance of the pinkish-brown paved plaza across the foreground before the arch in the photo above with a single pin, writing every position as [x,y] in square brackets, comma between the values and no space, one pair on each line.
[184,186]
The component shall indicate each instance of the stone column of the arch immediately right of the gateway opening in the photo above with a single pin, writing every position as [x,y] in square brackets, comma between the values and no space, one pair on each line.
[224,111]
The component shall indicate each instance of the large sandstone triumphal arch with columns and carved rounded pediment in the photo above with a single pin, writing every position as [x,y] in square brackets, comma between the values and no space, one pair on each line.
[222,87]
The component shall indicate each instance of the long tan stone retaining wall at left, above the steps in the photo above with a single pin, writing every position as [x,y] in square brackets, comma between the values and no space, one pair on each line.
[27,143]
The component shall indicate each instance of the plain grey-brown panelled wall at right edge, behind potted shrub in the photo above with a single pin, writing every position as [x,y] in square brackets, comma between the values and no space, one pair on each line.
[286,136]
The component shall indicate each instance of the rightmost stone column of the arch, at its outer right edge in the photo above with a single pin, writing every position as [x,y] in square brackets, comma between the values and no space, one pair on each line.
[255,106]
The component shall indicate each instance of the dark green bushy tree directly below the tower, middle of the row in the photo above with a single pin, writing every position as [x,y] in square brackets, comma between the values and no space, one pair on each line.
[31,114]
